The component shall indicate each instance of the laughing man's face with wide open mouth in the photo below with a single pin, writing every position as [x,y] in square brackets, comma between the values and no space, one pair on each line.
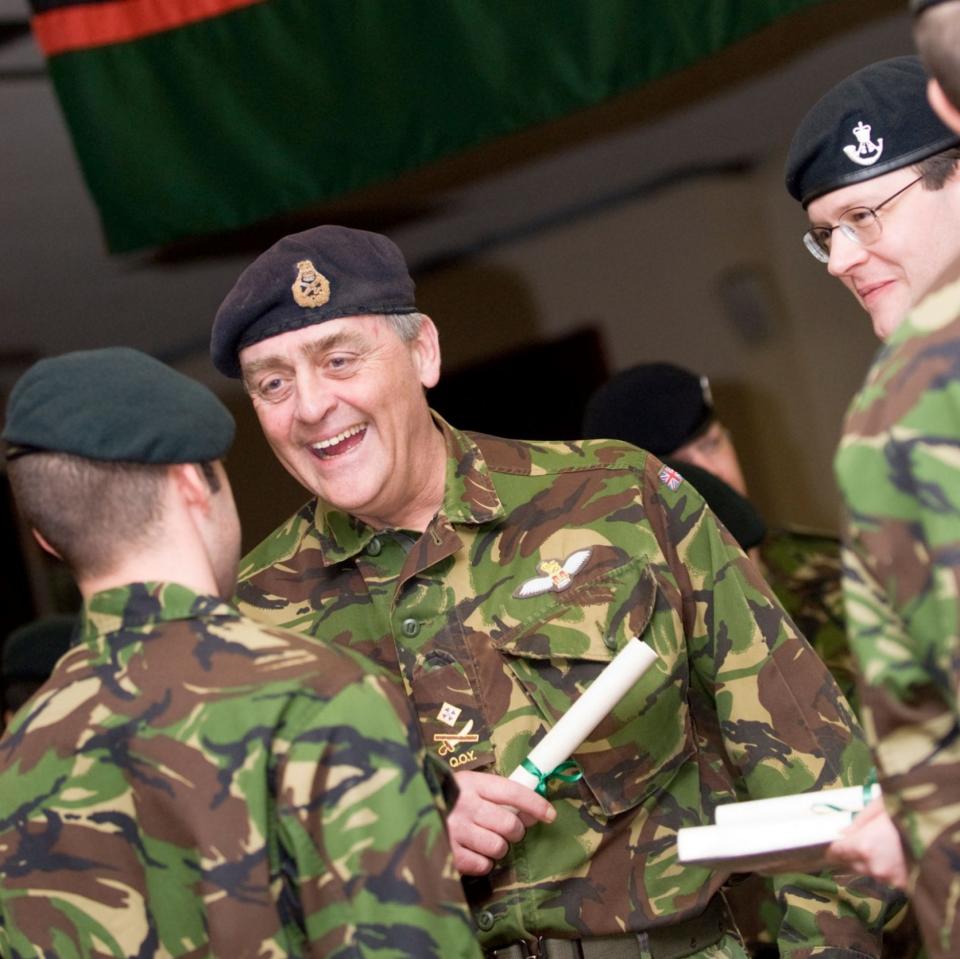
[342,405]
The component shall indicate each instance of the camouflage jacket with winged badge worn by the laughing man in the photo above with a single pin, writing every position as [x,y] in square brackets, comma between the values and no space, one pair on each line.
[544,560]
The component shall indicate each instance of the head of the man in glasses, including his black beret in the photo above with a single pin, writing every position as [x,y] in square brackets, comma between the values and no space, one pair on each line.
[874,167]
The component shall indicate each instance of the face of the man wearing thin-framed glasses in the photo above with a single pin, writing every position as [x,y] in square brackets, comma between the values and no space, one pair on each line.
[919,240]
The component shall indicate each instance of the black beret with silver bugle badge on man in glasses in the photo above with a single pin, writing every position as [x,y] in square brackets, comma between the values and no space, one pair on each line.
[875,121]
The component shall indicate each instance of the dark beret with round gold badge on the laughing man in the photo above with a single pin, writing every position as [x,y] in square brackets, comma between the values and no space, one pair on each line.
[306,278]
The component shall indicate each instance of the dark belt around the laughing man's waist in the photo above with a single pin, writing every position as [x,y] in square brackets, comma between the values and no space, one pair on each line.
[683,938]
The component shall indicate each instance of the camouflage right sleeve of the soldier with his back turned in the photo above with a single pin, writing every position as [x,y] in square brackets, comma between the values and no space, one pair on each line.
[362,832]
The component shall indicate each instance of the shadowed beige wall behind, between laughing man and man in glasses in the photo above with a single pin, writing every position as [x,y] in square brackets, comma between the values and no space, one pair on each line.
[647,273]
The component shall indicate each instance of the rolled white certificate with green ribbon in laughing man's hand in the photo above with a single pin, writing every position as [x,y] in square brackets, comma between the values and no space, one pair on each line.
[573,727]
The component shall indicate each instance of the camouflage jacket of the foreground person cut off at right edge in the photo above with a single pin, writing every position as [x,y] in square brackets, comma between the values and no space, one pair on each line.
[899,469]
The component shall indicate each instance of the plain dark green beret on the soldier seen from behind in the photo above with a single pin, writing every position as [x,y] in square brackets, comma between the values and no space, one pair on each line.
[118,405]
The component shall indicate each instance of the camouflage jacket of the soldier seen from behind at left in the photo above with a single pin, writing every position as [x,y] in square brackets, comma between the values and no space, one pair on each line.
[190,784]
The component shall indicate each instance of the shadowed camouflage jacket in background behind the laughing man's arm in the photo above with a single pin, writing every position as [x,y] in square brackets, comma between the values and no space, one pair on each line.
[804,571]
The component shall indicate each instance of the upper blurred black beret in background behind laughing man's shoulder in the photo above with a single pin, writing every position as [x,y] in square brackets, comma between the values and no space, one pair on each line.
[656,406]
